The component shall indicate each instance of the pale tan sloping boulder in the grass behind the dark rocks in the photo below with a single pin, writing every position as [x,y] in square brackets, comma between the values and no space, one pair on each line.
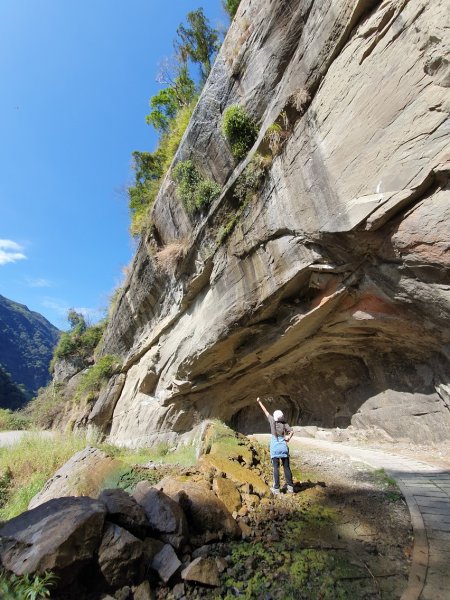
[82,475]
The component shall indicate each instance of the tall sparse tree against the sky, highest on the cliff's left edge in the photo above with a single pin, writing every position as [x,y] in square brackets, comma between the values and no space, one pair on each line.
[198,42]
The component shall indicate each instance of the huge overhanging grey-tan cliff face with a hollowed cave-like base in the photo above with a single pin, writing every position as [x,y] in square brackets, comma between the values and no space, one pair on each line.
[331,294]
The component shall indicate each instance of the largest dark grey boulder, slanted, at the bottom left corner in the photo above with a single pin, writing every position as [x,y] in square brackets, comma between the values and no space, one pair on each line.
[60,535]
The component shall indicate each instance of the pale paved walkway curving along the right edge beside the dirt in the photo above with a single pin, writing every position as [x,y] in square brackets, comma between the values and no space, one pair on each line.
[426,489]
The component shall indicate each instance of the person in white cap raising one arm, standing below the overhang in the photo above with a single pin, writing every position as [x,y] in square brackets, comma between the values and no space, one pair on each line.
[279,451]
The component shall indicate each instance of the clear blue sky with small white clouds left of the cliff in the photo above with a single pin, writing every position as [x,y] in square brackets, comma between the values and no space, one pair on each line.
[76,77]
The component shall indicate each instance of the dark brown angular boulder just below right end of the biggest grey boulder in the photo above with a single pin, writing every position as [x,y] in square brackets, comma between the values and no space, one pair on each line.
[120,556]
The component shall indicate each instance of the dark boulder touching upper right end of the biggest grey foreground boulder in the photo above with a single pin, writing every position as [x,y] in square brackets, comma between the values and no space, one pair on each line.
[123,510]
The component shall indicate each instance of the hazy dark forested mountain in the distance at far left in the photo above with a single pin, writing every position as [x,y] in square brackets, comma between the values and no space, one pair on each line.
[27,341]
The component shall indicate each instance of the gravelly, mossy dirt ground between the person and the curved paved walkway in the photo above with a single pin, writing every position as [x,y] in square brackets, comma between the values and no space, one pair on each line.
[345,533]
